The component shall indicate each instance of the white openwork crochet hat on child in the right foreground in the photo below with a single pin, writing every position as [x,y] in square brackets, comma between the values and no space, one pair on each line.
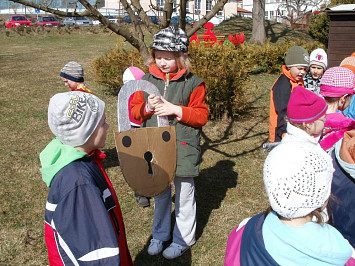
[297,178]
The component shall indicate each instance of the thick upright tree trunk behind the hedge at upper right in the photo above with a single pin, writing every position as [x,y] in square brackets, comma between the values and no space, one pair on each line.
[258,34]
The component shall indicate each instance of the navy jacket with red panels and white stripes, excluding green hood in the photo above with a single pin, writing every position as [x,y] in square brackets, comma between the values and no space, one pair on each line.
[83,219]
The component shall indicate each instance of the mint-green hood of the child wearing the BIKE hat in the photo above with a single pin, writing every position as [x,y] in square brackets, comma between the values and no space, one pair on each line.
[55,156]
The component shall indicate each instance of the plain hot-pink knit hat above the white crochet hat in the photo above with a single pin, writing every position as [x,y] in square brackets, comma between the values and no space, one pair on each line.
[305,106]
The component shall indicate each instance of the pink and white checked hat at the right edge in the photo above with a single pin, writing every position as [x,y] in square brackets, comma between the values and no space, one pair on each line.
[336,82]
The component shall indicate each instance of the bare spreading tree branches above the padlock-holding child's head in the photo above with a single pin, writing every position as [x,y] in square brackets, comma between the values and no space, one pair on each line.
[134,35]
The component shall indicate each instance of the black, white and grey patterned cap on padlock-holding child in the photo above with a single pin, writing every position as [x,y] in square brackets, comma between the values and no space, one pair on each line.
[171,39]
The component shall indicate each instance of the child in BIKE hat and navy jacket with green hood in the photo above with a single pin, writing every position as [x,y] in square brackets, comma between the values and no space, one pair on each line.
[83,219]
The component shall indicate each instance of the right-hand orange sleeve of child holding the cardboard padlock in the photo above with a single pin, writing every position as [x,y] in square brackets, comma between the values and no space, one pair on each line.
[195,114]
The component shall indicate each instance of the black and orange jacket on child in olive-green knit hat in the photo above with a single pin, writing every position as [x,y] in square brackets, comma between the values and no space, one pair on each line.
[279,96]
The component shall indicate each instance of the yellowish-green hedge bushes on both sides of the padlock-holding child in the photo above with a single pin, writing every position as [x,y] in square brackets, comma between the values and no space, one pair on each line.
[224,69]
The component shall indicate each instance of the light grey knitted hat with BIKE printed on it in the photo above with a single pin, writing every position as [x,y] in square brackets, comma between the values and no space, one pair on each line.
[73,116]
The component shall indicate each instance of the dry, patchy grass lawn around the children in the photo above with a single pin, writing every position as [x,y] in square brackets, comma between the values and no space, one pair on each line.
[229,188]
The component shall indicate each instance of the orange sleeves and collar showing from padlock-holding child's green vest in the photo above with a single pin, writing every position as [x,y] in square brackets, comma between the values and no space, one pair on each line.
[195,114]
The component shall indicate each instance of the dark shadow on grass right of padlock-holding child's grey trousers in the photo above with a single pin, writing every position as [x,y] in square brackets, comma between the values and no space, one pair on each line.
[211,188]
